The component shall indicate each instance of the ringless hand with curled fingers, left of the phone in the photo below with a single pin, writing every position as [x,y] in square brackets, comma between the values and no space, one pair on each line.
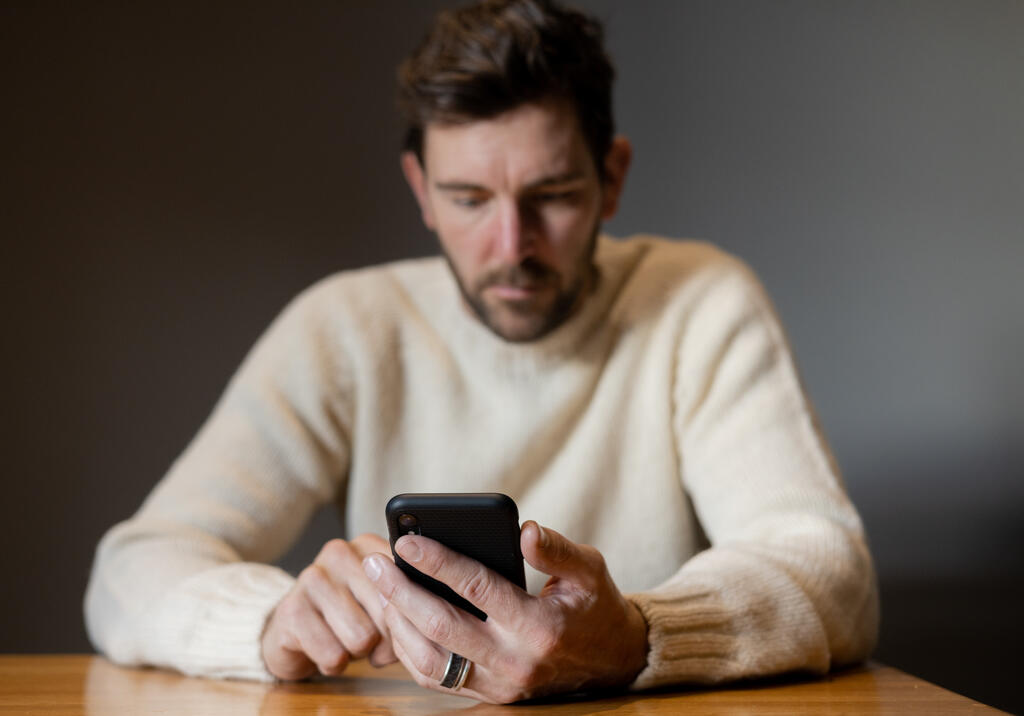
[332,616]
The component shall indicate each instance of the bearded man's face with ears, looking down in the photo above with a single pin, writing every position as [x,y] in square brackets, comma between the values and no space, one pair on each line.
[517,204]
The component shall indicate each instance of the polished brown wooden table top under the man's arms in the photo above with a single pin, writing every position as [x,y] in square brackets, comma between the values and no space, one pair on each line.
[87,685]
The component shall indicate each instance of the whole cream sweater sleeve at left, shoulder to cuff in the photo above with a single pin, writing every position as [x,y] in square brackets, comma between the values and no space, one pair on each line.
[185,583]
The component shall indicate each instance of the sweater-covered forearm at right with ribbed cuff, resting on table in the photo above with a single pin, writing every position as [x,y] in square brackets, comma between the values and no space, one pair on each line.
[803,603]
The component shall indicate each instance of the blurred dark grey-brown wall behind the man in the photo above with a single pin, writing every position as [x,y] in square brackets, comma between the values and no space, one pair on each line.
[173,174]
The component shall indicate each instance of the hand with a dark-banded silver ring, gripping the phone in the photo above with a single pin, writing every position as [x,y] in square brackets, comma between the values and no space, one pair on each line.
[580,633]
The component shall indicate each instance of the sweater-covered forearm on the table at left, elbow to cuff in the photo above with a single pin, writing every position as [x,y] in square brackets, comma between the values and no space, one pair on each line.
[181,603]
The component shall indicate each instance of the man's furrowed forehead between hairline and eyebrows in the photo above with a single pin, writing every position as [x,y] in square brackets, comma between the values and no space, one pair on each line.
[523,145]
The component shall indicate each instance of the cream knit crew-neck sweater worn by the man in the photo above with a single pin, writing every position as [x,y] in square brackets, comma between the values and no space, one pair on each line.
[666,415]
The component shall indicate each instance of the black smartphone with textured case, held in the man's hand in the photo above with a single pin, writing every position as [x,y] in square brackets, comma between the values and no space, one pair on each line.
[485,527]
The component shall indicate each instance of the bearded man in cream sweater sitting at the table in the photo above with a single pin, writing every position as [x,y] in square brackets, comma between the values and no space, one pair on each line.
[637,398]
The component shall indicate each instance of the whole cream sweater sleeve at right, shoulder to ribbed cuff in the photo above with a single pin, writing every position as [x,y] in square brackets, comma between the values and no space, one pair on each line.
[788,582]
